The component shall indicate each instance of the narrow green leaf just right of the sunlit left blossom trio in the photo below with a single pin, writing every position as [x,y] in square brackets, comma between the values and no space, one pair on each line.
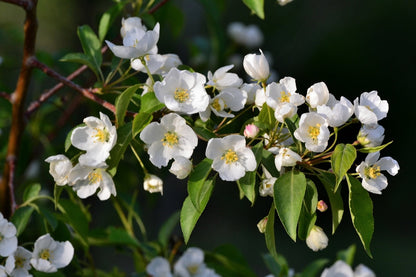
[124,138]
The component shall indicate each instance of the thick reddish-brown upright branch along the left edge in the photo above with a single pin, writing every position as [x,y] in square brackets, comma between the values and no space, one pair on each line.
[7,200]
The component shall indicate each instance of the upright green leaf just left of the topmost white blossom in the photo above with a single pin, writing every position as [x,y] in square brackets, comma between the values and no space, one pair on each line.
[91,46]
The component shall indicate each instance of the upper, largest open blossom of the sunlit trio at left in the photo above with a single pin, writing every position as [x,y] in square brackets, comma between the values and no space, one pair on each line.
[98,137]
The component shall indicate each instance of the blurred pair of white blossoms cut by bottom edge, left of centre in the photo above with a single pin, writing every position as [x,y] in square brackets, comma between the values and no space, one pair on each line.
[191,263]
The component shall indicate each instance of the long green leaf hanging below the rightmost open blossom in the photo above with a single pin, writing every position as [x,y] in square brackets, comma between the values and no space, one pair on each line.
[361,209]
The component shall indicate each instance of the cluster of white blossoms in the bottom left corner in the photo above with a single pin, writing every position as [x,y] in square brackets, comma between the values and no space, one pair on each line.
[48,255]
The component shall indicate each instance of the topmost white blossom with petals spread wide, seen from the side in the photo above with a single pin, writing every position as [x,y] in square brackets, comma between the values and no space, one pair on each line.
[137,42]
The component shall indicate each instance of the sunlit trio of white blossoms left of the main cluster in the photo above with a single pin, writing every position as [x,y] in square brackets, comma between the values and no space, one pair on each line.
[96,138]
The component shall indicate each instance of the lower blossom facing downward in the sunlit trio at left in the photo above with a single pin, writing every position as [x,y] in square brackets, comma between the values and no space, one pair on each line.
[86,180]
